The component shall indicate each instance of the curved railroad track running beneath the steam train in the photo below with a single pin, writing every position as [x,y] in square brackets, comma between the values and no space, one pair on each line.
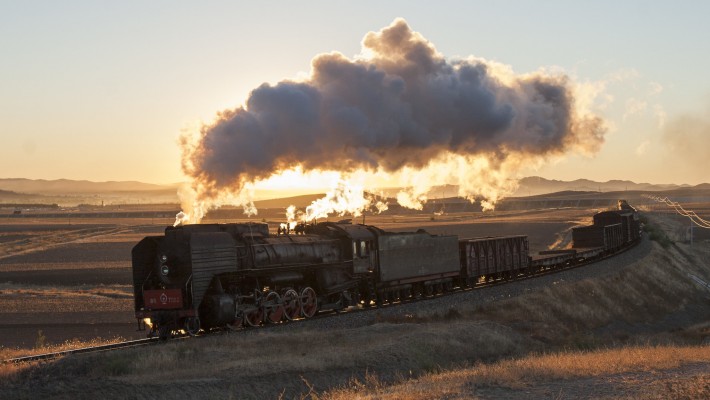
[320,315]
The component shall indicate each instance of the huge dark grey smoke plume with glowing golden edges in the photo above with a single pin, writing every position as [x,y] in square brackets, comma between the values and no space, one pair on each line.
[402,109]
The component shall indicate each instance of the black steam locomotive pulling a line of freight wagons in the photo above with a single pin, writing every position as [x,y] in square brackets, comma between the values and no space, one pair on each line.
[224,276]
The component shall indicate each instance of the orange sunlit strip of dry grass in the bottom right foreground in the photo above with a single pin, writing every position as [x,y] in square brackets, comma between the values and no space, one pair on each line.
[532,370]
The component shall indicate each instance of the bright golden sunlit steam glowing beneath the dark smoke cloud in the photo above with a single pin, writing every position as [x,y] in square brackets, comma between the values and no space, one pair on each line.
[351,193]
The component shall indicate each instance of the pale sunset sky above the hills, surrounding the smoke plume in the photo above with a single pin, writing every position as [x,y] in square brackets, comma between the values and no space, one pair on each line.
[102,90]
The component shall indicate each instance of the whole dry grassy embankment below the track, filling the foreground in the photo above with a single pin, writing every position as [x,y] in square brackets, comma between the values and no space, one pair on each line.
[633,325]
